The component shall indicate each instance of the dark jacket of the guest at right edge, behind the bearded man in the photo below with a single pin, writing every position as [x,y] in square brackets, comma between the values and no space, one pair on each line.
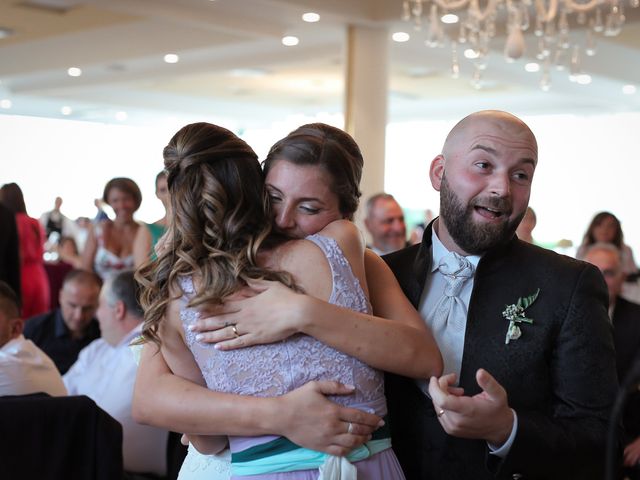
[626,337]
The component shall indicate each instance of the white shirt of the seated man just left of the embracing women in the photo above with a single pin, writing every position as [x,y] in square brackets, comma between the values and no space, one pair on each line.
[106,374]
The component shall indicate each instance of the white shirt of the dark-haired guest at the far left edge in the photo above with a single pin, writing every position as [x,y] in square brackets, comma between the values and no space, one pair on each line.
[25,369]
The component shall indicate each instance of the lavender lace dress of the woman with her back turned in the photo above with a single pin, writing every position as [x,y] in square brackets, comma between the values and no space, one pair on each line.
[275,369]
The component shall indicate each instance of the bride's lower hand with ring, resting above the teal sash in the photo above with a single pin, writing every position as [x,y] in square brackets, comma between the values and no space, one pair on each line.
[309,419]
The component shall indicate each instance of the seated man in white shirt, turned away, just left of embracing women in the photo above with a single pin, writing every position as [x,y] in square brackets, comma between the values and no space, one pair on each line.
[106,371]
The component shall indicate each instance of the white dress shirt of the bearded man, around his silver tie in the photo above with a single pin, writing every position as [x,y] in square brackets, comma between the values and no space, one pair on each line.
[434,289]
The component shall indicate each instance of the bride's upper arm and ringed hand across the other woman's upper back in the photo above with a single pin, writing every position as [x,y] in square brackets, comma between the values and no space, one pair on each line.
[277,312]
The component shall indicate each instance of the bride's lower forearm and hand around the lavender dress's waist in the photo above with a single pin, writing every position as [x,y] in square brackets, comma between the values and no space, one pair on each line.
[305,415]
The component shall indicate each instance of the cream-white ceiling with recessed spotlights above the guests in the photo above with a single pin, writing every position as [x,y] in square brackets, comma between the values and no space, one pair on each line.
[234,66]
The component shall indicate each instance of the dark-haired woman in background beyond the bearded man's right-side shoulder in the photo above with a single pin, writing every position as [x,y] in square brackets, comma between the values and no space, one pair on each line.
[606,228]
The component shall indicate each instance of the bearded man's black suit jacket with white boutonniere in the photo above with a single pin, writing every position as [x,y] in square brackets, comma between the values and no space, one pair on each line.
[559,375]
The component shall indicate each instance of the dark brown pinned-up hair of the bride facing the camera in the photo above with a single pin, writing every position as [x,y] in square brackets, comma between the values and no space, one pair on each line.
[330,148]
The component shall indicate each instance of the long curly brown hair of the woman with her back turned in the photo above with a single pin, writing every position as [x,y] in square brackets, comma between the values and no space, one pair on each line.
[220,219]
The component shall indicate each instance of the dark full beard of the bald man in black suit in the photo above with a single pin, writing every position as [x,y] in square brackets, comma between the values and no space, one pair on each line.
[470,236]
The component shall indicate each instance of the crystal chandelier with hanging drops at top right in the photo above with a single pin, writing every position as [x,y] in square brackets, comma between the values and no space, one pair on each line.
[551,22]
